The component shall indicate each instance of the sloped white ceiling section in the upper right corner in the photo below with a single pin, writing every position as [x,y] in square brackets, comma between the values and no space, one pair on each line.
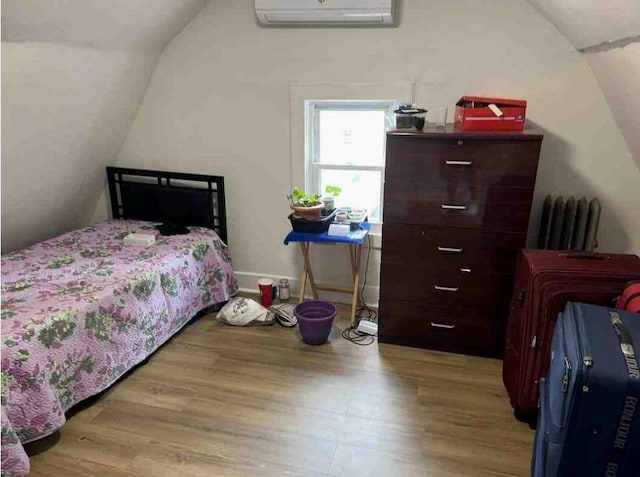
[608,32]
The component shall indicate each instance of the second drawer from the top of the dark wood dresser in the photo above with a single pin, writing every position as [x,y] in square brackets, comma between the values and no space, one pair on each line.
[493,208]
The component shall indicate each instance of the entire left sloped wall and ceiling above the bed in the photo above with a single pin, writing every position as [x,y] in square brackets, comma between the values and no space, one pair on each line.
[73,75]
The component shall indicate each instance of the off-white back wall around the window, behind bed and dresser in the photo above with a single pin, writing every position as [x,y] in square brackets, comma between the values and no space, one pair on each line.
[219,103]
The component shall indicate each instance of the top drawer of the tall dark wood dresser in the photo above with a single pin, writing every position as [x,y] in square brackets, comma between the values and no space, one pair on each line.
[436,162]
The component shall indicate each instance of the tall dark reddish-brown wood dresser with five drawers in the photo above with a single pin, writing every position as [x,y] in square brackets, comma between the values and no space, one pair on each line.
[456,212]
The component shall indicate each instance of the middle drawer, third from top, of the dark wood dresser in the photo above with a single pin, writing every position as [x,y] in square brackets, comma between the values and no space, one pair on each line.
[448,248]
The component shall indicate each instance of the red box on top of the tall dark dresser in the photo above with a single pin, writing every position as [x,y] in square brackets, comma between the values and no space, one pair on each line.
[478,113]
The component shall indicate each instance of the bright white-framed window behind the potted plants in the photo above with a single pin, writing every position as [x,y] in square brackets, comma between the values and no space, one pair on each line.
[345,147]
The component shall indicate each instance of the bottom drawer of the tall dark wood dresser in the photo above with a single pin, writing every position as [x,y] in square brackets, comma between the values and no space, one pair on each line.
[459,330]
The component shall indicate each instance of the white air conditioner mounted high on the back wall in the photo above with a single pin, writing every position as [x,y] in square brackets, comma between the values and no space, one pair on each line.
[325,12]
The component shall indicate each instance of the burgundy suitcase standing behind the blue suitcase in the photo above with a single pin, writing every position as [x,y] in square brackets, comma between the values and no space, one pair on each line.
[545,281]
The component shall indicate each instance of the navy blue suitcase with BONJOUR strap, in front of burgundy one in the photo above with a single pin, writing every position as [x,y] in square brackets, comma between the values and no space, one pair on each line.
[589,419]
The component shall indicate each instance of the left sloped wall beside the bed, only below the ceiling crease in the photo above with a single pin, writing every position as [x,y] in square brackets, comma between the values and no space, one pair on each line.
[65,112]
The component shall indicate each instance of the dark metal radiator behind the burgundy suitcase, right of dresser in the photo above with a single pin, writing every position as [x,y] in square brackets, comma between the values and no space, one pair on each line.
[569,224]
